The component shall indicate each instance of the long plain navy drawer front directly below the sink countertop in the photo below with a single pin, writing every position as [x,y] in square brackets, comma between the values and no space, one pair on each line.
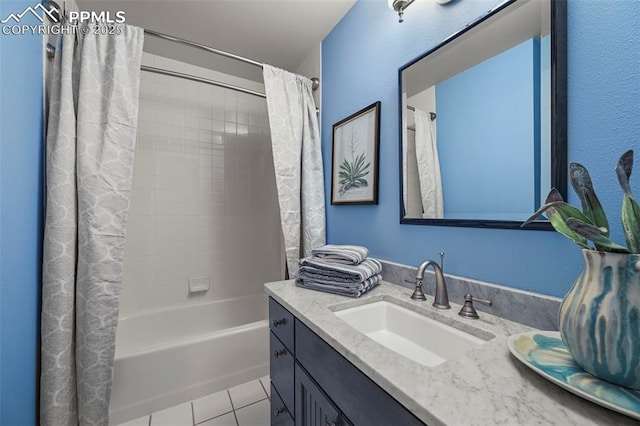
[360,399]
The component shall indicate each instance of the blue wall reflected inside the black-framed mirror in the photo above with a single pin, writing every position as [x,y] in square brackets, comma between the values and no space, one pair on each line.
[487,140]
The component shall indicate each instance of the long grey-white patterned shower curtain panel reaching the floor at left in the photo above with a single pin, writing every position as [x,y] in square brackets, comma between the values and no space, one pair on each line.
[89,160]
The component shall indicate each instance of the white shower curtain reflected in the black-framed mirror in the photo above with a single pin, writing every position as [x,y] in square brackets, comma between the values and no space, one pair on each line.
[428,166]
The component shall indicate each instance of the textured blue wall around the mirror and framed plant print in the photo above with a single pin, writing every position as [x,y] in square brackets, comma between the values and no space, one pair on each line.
[360,60]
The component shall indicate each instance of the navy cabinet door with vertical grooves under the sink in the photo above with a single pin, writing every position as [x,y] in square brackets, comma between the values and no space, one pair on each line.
[313,408]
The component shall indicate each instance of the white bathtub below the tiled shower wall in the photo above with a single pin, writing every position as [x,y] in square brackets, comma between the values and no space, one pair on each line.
[170,356]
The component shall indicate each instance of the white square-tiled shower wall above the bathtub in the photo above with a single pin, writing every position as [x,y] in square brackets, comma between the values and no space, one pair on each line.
[204,196]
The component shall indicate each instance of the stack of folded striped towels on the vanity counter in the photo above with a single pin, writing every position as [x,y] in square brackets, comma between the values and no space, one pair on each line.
[340,269]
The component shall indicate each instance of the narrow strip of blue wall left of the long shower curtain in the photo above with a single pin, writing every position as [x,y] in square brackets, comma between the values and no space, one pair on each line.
[21,143]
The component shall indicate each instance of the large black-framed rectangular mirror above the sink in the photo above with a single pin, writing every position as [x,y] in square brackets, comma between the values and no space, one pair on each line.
[483,120]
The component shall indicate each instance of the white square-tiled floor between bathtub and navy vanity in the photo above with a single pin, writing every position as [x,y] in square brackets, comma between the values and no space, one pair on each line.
[243,405]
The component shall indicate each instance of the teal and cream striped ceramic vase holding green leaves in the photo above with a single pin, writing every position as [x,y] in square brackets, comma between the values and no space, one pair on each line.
[600,317]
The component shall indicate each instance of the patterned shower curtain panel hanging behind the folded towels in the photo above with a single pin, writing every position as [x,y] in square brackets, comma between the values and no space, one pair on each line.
[297,159]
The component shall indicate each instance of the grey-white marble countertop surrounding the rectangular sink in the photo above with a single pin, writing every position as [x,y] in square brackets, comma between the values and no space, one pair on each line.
[483,386]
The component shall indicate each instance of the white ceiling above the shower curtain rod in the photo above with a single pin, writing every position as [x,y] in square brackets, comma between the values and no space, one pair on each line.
[281,33]
